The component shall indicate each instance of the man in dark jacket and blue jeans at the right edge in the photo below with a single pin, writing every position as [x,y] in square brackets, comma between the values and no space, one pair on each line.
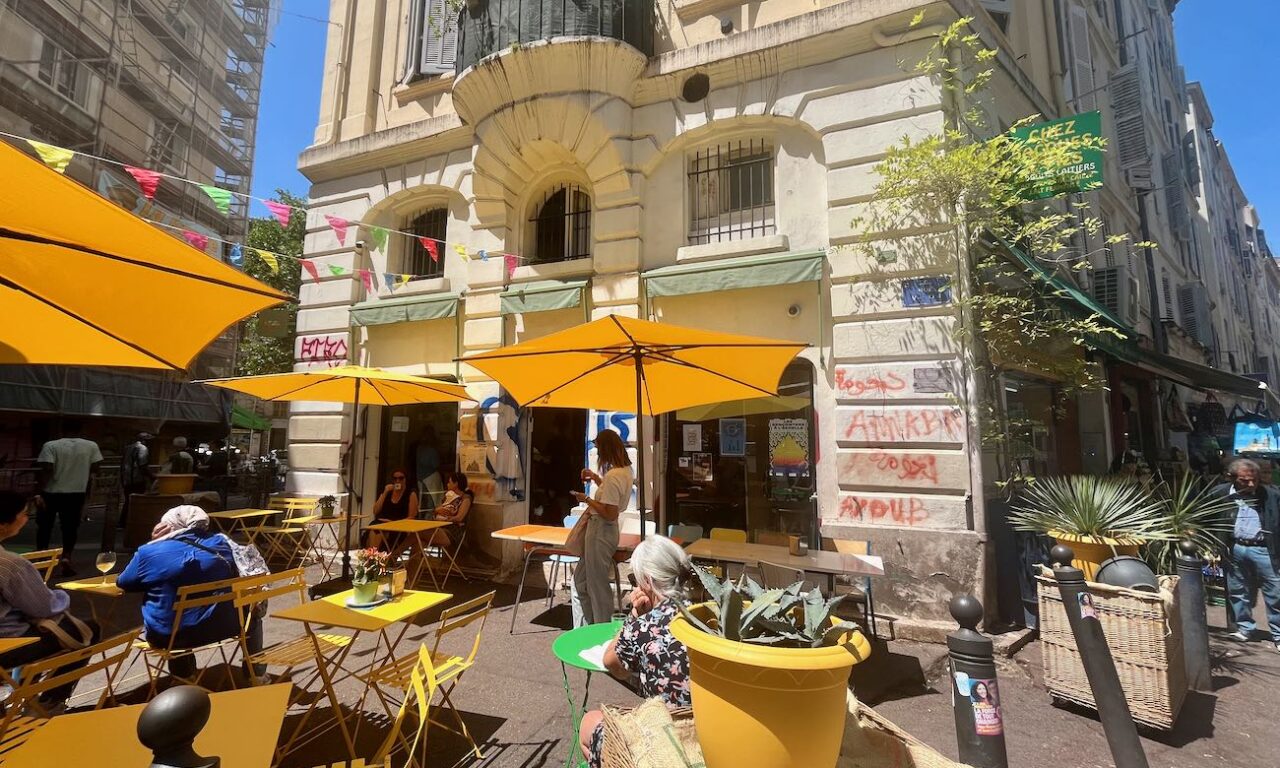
[1252,557]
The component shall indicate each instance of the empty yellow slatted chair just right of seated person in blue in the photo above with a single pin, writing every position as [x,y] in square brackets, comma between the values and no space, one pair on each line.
[254,592]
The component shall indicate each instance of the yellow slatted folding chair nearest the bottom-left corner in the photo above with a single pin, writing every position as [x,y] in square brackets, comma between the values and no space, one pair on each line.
[24,715]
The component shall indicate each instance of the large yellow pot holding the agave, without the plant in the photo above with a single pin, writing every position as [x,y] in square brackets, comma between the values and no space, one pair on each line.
[767,707]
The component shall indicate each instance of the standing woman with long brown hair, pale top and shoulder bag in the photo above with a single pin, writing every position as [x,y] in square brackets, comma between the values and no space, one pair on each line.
[614,483]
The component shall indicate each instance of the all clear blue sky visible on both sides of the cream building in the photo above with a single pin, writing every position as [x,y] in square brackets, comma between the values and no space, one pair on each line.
[1229,53]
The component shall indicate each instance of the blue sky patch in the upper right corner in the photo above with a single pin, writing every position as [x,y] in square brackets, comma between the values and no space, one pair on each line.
[1228,47]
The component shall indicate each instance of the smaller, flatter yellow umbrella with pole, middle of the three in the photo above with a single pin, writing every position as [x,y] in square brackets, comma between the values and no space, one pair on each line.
[348,385]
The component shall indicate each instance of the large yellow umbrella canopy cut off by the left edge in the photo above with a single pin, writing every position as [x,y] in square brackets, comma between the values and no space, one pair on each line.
[84,282]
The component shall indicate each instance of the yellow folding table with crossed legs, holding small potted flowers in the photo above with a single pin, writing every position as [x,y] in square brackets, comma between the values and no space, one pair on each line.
[332,669]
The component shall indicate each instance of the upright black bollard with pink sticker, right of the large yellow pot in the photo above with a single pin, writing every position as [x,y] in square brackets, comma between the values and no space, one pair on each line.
[975,694]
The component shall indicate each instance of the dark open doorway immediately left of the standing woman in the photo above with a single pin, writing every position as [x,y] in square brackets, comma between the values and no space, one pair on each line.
[559,441]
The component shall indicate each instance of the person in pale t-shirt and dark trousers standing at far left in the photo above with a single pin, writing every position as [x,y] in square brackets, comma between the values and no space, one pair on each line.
[67,467]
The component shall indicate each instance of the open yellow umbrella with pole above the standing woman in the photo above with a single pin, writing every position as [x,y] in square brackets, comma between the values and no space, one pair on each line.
[623,364]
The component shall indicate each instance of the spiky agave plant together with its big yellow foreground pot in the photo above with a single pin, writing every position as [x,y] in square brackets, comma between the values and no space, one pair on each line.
[769,673]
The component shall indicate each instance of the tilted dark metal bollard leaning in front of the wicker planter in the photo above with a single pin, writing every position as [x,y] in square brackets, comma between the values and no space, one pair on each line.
[1099,666]
